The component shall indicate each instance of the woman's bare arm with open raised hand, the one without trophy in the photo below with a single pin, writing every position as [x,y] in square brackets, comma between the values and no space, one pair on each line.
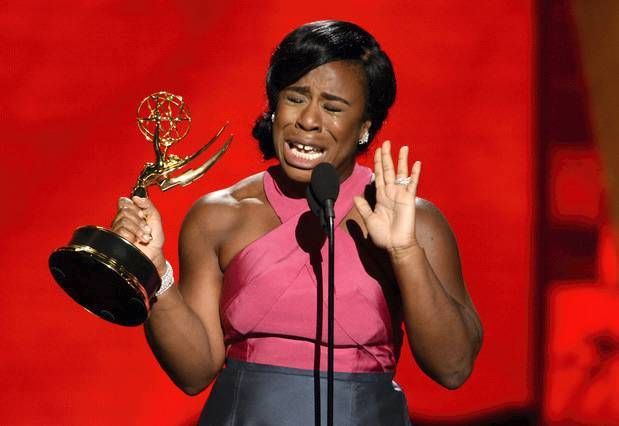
[443,328]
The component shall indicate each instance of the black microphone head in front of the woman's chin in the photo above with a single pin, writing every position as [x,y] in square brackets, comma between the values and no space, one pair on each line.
[322,191]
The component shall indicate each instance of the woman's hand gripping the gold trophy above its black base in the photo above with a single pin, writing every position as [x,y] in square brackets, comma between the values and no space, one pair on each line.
[138,221]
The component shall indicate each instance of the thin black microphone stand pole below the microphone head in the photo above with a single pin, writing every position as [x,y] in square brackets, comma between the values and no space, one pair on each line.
[330,215]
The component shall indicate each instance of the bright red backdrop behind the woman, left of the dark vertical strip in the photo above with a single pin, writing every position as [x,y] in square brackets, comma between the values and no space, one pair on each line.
[74,73]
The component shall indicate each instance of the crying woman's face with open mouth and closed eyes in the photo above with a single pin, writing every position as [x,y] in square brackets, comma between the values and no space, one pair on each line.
[320,118]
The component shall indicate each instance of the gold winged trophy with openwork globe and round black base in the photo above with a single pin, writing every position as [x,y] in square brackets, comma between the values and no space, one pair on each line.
[101,270]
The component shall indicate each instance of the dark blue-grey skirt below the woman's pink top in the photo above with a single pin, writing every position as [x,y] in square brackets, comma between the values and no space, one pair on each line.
[249,394]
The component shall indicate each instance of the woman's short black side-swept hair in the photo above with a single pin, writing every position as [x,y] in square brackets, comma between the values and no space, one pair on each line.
[315,44]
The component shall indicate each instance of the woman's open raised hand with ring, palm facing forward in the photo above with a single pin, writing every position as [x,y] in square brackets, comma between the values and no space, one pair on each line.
[391,225]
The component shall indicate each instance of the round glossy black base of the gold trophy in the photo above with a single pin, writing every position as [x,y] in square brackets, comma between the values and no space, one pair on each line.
[107,275]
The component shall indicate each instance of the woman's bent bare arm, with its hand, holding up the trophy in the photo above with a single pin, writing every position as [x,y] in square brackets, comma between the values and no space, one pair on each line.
[183,329]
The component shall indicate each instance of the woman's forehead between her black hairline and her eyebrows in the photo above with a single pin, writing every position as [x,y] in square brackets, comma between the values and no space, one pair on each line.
[337,78]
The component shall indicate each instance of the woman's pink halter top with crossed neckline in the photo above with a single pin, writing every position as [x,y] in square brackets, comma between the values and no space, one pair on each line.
[269,300]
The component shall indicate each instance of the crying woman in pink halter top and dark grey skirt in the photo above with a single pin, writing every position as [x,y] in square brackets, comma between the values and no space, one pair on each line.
[250,257]
